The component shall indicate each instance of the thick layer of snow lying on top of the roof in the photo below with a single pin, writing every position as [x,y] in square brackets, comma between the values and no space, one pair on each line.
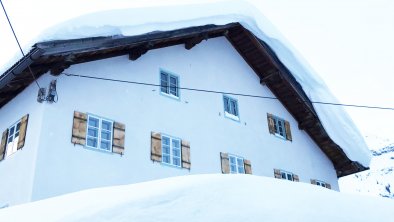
[129,22]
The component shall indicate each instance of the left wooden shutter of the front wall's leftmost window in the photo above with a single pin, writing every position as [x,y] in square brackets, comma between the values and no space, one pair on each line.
[79,128]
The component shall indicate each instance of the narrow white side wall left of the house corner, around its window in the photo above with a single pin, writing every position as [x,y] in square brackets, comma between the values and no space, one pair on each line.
[17,170]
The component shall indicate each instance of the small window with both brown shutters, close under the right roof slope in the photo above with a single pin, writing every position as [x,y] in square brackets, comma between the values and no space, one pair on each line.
[279,127]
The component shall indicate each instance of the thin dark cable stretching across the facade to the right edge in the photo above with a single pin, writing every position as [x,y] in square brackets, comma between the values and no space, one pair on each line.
[222,92]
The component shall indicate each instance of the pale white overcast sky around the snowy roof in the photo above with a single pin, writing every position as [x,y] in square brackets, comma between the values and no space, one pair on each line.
[349,43]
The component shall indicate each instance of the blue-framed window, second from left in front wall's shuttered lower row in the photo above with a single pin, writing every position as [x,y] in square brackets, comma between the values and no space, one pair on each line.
[171,151]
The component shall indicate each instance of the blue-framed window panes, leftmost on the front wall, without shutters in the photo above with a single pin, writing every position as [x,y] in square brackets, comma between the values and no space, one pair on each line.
[99,134]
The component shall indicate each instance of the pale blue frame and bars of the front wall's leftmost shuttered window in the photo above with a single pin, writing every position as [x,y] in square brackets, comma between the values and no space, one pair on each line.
[100,130]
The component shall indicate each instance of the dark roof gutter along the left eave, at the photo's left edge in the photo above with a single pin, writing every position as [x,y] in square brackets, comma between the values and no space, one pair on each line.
[20,66]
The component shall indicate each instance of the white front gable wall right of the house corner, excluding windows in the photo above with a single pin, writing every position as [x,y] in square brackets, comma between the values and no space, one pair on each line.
[196,117]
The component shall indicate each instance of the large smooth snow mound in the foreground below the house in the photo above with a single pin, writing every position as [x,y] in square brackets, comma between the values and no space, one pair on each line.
[206,198]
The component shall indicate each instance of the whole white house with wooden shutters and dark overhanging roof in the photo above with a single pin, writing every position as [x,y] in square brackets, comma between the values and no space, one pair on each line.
[111,110]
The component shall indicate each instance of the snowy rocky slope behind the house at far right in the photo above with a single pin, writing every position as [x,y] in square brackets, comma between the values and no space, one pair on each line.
[378,181]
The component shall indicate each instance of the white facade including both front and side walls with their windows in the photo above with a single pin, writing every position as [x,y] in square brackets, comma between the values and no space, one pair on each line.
[197,132]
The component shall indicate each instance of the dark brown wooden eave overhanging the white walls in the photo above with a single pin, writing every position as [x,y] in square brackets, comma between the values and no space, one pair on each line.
[55,56]
